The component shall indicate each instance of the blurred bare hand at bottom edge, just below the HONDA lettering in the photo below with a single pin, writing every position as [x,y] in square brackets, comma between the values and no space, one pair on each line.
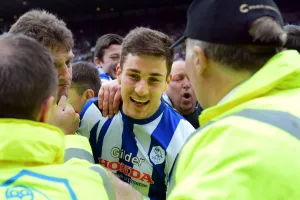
[123,191]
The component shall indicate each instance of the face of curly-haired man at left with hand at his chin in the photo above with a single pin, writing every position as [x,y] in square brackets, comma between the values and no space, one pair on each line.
[63,65]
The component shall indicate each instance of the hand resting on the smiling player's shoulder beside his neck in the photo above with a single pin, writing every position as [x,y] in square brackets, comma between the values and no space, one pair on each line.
[109,98]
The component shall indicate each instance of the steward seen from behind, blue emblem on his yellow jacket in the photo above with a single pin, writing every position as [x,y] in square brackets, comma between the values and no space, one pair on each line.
[32,151]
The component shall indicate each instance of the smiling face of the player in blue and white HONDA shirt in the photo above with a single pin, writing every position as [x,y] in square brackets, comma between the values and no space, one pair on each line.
[143,80]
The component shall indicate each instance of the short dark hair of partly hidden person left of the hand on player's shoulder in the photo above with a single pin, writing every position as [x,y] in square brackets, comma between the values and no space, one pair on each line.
[85,76]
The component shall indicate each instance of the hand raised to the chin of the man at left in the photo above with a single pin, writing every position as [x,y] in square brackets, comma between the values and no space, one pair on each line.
[65,117]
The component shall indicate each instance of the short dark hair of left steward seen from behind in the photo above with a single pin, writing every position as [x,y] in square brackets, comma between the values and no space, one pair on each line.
[27,77]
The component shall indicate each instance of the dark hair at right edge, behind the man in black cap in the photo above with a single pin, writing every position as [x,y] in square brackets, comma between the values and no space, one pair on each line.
[293,37]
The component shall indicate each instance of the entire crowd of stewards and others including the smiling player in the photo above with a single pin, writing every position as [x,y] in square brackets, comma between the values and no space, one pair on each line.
[213,115]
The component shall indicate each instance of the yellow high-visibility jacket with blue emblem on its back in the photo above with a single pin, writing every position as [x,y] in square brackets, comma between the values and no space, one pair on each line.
[32,166]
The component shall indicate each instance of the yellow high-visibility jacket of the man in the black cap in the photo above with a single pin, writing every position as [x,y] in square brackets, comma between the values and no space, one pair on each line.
[248,147]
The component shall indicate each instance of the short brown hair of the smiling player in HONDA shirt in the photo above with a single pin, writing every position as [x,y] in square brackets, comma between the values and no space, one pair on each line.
[144,41]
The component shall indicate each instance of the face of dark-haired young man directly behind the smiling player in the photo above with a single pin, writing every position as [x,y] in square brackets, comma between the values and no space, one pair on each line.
[111,59]
